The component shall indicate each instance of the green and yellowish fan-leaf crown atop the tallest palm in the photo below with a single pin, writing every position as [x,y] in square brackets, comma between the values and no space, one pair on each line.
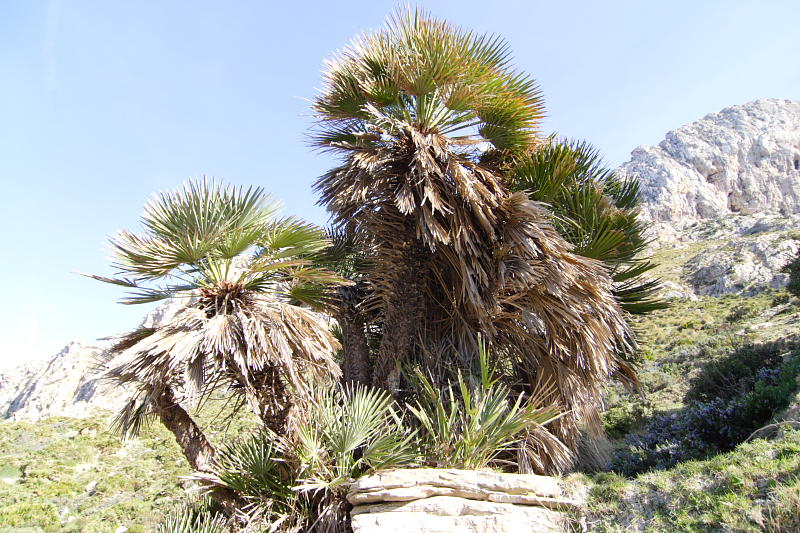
[428,73]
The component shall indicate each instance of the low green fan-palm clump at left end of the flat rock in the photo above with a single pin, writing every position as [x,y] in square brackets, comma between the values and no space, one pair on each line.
[299,481]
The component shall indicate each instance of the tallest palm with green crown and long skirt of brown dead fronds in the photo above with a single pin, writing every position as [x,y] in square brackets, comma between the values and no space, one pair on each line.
[427,119]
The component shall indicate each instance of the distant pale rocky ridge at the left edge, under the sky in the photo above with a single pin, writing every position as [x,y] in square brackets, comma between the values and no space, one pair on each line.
[63,386]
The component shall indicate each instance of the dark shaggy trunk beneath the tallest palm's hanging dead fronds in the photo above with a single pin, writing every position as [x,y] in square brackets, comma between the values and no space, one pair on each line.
[401,320]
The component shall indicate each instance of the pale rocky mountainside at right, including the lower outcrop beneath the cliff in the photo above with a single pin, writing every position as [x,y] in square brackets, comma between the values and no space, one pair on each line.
[724,192]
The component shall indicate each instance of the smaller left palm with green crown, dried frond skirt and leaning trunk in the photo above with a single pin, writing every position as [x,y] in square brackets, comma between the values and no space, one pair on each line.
[247,321]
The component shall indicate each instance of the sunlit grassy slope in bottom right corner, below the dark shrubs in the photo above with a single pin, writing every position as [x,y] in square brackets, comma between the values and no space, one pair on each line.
[754,488]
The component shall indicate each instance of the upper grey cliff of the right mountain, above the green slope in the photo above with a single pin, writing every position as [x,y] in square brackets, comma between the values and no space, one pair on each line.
[744,159]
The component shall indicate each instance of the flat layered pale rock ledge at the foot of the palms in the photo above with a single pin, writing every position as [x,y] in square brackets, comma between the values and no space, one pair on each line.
[430,500]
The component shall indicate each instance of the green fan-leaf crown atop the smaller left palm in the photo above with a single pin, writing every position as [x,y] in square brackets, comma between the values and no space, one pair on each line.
[206,234]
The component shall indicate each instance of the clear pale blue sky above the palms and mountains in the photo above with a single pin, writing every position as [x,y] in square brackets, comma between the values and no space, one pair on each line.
[103,103]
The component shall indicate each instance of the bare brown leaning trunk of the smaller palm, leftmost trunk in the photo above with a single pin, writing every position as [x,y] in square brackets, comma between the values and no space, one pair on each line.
[194,444]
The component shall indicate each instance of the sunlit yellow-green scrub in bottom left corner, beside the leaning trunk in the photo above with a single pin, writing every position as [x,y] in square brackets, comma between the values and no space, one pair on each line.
[62,474]
